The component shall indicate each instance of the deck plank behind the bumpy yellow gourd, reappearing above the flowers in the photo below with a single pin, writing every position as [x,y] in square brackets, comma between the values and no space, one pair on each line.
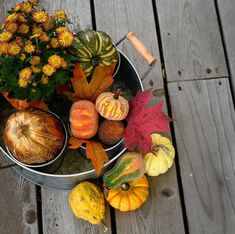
[57,216]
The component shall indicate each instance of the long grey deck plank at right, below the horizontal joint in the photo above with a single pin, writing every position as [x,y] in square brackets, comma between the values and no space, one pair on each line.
[205,132]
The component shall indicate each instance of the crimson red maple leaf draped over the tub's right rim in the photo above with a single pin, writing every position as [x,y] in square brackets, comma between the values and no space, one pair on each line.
[143,121]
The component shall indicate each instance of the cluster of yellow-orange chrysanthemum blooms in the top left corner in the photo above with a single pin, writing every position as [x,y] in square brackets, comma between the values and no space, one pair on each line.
[27,33]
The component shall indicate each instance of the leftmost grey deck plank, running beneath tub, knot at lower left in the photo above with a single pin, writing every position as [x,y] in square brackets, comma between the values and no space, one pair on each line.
[18,197]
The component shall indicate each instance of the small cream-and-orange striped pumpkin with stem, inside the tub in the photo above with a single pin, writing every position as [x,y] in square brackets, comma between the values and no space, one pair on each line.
[112,106]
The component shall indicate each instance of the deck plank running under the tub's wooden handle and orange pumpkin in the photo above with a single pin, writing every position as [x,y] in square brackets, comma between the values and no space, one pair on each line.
[160,214]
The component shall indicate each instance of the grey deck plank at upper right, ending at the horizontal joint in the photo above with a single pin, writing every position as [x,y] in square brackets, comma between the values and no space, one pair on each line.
[191,39]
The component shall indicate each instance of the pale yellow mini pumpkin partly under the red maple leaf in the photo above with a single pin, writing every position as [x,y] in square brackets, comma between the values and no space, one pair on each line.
[162,156]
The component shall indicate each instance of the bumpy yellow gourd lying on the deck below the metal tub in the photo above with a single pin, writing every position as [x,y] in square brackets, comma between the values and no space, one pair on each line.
[87,202]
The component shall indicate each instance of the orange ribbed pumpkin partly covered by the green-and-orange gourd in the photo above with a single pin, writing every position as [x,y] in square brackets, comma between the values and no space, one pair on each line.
[129,196]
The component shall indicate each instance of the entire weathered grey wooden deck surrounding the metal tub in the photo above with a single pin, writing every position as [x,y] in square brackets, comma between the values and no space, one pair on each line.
[194,41]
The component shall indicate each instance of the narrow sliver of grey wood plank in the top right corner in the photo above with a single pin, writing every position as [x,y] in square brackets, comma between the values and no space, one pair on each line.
[227,16]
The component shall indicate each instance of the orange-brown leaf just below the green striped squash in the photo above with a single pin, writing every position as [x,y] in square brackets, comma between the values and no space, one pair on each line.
[100,81]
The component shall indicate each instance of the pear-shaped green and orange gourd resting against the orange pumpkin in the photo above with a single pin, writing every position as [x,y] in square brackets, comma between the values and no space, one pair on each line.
[130,166]
